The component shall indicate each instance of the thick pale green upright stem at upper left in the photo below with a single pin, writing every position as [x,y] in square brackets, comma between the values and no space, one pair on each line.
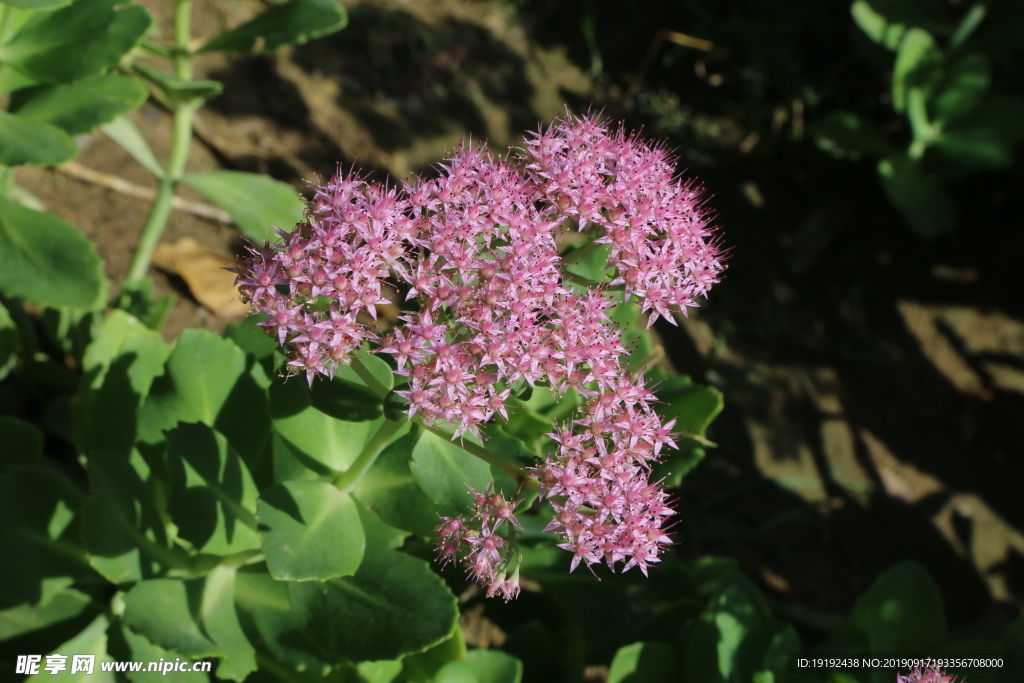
[181,141]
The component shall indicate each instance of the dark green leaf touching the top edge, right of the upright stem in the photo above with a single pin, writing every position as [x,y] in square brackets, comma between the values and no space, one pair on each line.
[287,24]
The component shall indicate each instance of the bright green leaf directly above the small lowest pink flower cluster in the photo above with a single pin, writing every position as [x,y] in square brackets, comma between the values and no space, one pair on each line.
[446,473]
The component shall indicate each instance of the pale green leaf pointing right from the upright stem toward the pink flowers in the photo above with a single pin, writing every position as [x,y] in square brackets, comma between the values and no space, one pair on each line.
[257,203]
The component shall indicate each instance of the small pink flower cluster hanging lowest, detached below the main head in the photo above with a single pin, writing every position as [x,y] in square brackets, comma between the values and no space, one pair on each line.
[492,559]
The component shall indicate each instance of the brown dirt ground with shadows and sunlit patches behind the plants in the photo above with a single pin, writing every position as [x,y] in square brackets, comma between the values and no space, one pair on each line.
[861,430]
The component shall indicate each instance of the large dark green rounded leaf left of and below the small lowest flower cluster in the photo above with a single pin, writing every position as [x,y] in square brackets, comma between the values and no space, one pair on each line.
[395,606]
